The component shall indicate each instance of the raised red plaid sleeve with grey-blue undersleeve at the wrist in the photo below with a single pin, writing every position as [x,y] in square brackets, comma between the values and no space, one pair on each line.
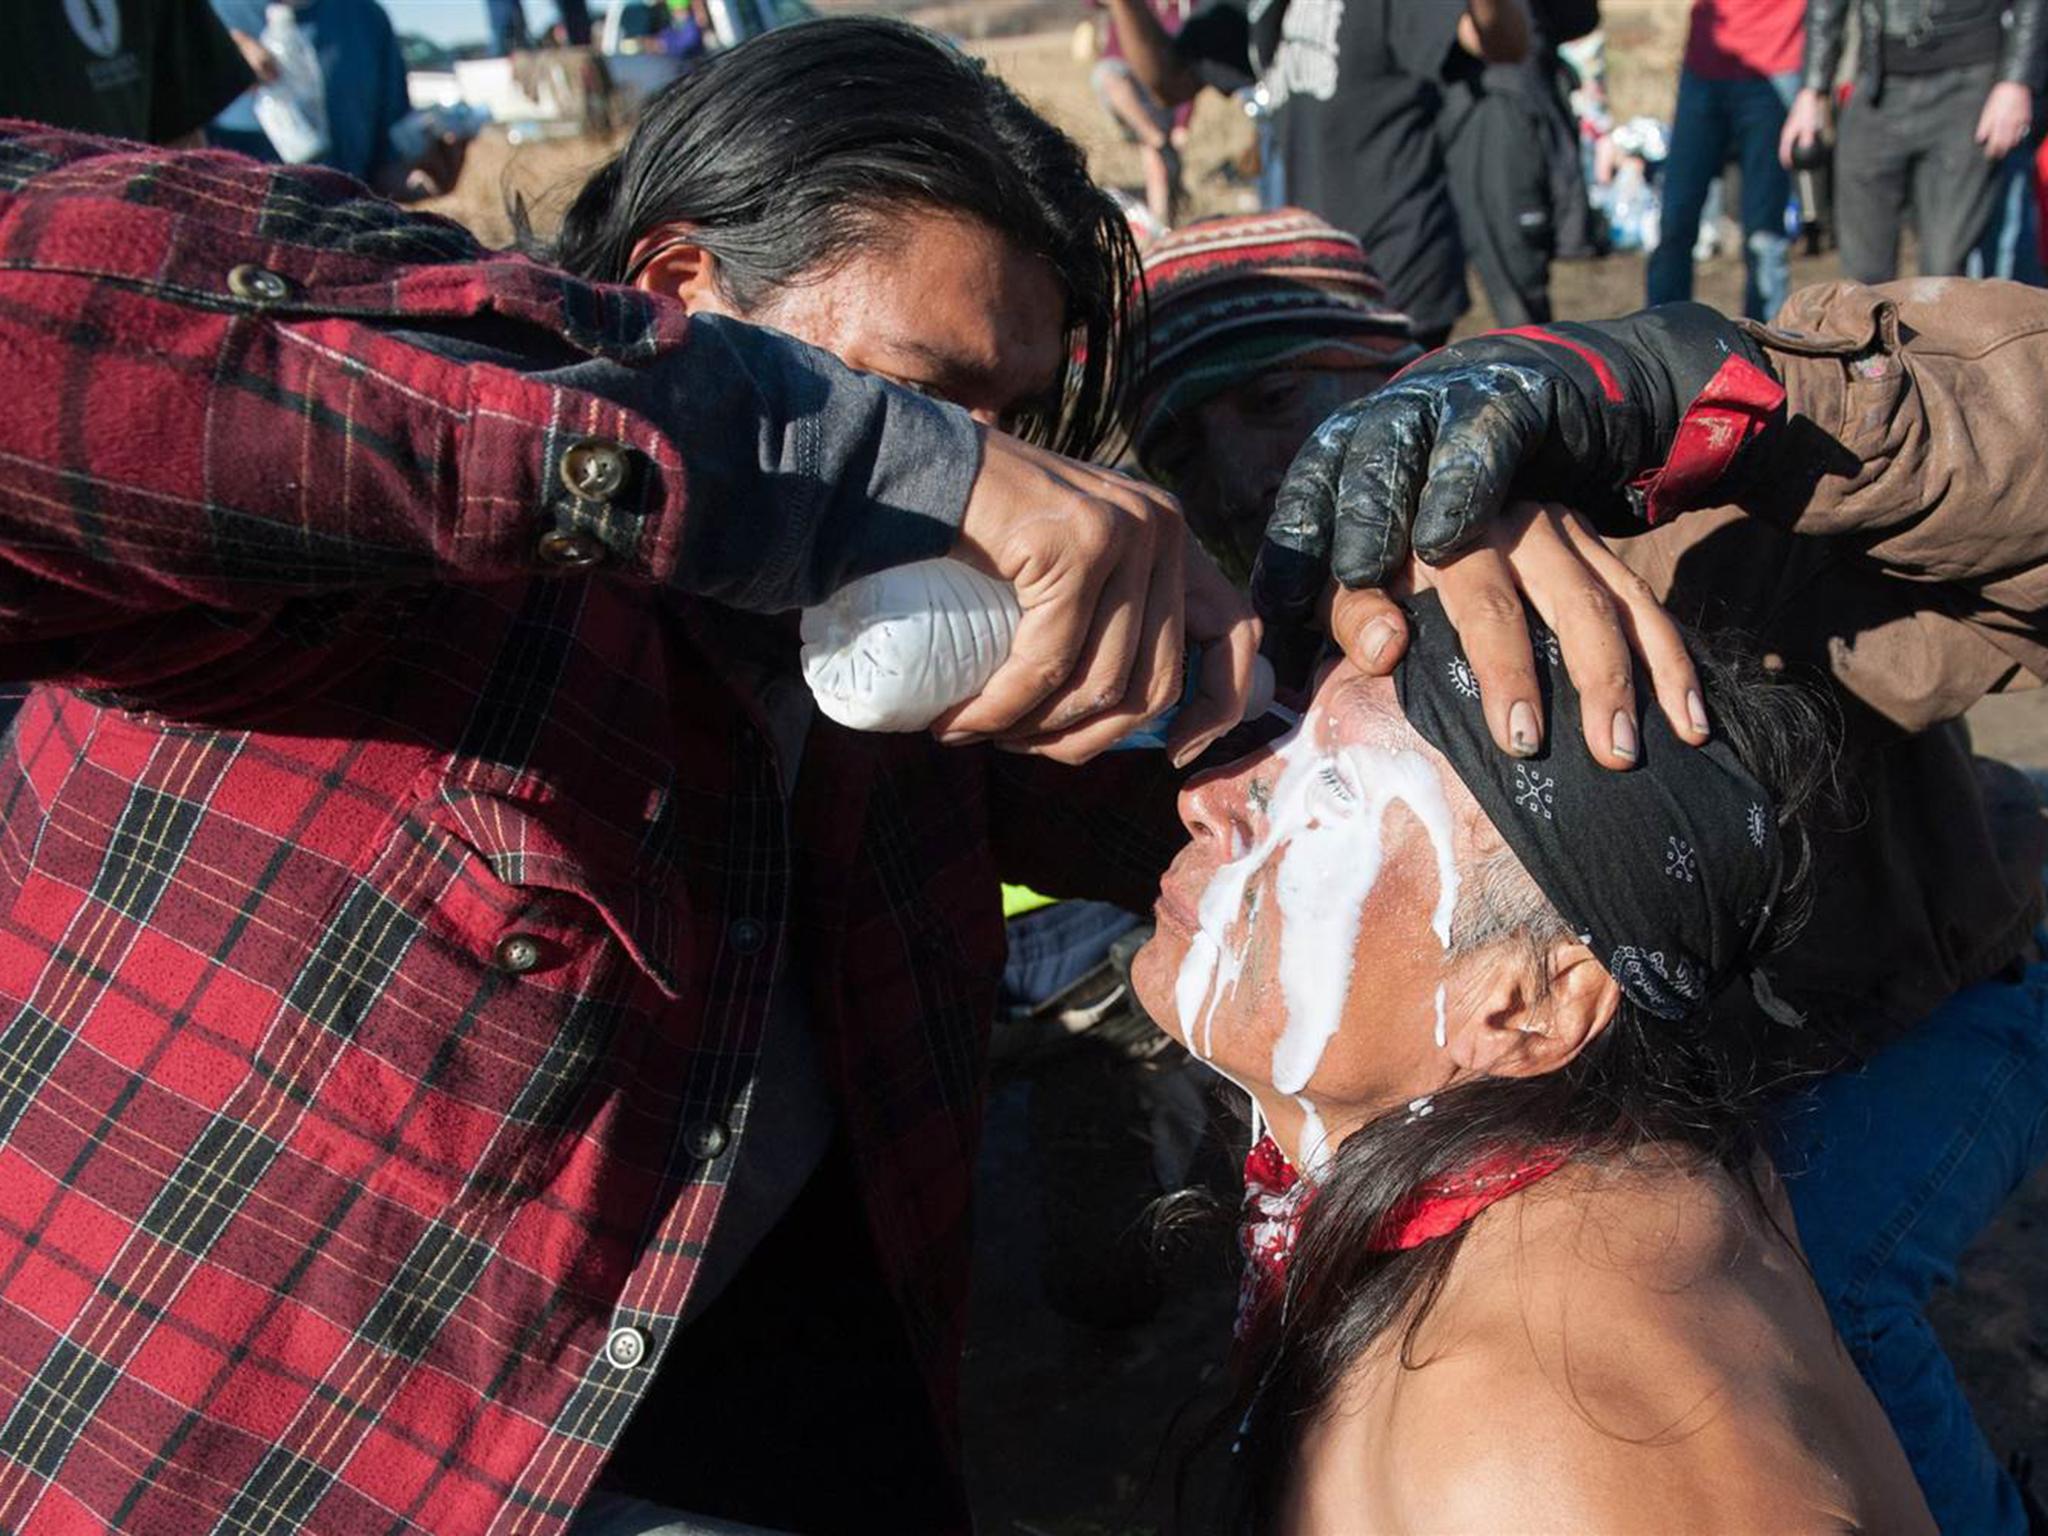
[237,388]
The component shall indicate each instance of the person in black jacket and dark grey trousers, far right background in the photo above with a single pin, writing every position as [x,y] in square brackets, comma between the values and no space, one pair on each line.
[1943,93]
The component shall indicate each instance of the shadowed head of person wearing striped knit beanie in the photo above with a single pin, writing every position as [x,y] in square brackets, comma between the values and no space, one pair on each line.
[1261,327]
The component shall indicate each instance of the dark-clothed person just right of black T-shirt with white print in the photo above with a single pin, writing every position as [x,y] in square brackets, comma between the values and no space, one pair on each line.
[1512,157]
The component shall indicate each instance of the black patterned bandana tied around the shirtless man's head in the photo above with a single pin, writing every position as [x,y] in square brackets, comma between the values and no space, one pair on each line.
[1668,871]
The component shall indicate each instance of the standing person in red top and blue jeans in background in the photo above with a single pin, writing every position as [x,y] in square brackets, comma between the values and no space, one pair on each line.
[1740,75]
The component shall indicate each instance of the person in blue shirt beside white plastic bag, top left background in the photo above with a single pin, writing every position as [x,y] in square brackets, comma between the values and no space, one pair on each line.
[366,97]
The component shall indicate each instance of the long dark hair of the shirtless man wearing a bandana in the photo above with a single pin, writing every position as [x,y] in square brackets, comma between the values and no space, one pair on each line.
[1691,1089]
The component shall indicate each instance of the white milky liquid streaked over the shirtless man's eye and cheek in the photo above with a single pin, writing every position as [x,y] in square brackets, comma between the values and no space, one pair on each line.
[1326,822]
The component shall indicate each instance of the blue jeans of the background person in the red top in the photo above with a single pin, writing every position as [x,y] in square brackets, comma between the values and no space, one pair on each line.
[1715,122]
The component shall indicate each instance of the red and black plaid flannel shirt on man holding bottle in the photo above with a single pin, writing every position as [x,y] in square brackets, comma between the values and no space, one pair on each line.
[394,869]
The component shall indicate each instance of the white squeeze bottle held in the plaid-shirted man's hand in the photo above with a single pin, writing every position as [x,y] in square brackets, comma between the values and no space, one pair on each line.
[892,652]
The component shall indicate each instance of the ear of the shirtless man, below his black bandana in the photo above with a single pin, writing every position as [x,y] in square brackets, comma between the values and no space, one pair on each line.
[1512,1029]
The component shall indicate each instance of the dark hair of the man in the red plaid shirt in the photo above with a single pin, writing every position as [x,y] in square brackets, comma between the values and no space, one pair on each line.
[796,148]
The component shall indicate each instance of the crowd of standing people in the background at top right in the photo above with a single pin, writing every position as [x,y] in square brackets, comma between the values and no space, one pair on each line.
[1930,126]
